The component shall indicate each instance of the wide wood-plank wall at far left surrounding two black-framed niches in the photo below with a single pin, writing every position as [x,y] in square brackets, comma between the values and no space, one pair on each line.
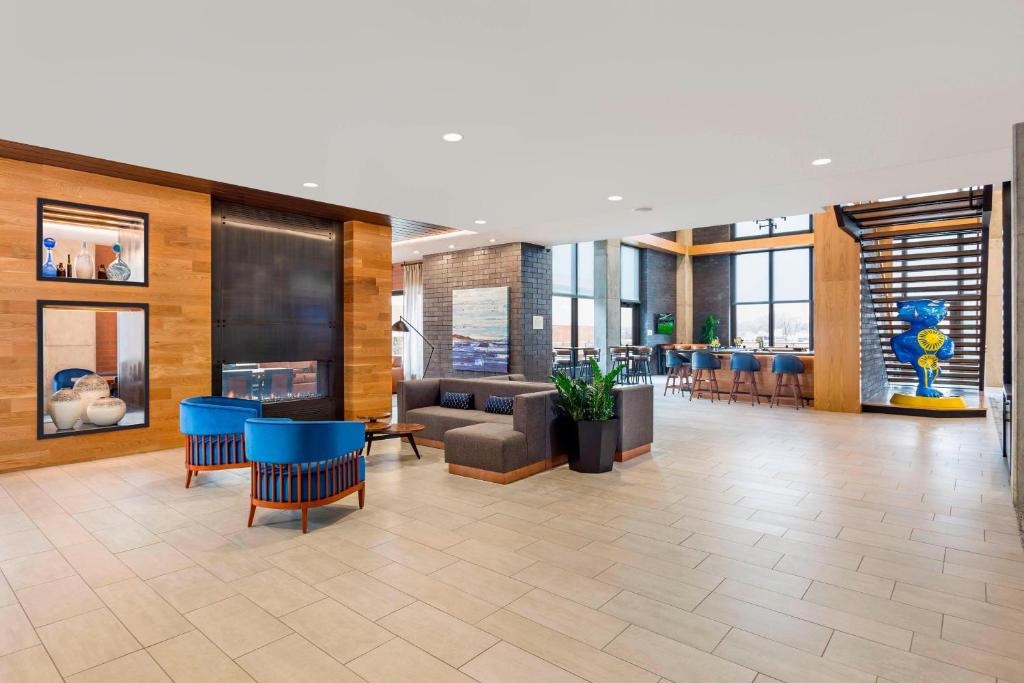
[179,296]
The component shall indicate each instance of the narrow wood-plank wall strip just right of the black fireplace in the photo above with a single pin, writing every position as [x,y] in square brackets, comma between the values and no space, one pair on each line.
[367,319]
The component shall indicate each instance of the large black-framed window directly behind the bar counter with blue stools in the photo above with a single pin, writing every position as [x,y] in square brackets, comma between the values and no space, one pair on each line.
[772,297]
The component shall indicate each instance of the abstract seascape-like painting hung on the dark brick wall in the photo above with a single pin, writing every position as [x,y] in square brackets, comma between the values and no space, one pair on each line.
[481,330]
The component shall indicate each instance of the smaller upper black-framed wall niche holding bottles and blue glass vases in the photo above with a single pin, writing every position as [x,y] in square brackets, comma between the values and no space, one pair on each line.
[99,245]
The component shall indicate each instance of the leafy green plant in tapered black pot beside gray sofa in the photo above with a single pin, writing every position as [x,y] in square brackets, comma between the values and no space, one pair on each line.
[592,408]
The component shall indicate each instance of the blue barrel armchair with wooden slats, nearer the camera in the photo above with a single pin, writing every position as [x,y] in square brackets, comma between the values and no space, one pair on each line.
[303,465]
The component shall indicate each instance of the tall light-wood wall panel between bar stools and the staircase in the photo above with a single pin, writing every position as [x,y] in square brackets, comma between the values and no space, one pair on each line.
[837,317]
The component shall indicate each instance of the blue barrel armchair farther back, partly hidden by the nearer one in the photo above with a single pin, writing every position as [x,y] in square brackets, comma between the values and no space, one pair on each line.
[215,429]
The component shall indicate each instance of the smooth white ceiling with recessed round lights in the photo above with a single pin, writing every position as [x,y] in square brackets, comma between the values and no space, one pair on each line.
[708,112]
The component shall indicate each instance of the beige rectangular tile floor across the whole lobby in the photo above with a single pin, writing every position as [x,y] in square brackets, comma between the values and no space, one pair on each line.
[753,545]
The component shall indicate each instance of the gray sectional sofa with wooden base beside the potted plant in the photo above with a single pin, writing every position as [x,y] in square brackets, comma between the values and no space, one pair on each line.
[506,448]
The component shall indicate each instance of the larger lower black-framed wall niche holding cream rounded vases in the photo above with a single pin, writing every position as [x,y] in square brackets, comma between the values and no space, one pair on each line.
[78,341]
